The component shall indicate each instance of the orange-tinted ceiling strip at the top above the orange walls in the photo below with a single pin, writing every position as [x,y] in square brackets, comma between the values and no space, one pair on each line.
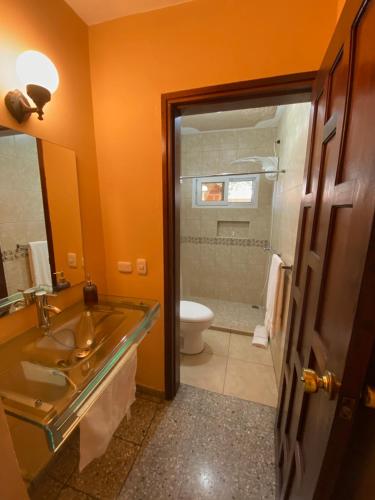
[98,11]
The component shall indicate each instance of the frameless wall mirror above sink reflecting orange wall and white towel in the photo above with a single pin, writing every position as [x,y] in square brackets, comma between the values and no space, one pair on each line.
[40,224]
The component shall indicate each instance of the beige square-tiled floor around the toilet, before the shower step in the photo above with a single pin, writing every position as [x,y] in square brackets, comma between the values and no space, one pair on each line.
[231,365]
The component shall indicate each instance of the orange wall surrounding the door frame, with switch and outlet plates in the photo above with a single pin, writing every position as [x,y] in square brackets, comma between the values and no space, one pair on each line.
[137,58]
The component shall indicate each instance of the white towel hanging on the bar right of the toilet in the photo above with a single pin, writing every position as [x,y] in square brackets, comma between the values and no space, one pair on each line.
[274,301]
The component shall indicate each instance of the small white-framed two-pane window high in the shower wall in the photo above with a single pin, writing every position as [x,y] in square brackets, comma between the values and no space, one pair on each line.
[226,191]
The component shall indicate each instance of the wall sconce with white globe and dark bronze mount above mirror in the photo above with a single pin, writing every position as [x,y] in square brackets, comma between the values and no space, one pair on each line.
[40,76]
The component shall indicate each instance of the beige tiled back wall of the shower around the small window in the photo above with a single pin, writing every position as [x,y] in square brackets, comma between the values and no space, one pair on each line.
[224,271]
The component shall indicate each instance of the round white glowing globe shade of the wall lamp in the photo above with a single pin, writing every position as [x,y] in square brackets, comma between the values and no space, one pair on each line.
[37,69]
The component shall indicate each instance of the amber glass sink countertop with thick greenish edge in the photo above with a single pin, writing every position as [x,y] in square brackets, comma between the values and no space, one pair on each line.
[43,378]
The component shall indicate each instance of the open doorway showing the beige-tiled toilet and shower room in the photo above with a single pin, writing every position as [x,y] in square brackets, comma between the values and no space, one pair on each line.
[241,184]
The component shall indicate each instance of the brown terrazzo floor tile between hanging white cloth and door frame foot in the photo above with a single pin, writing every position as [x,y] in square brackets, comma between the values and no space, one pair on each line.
[135,429]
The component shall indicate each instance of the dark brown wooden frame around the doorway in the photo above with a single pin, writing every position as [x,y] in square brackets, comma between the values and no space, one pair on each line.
[286,89]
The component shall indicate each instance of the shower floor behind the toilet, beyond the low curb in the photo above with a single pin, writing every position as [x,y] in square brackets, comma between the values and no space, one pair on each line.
[233,316]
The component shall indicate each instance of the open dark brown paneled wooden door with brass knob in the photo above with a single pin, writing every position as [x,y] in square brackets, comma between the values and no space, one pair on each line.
[327,329]
